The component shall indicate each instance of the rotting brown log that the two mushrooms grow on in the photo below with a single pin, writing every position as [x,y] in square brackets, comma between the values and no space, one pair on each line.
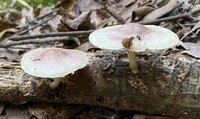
[167,85]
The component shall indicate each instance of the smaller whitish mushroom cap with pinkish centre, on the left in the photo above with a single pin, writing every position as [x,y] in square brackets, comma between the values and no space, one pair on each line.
[53,62]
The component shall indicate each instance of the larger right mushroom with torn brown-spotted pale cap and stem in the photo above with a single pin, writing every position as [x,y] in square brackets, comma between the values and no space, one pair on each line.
[134,38]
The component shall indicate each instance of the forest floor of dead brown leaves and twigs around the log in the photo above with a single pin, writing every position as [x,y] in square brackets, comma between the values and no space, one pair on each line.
[31,28]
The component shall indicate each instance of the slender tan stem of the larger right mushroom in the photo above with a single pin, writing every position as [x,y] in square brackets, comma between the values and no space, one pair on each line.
[132,61]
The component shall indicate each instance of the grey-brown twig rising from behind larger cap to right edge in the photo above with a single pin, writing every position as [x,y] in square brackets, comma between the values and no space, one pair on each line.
[170,18]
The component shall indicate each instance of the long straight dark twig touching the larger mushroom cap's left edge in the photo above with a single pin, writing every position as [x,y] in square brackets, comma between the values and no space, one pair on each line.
[71,33]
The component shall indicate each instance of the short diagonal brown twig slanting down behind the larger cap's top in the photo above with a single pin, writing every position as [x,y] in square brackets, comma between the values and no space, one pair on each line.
[115,15]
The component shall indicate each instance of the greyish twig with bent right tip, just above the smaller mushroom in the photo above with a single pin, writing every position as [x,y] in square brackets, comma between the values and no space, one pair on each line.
[39,41]
